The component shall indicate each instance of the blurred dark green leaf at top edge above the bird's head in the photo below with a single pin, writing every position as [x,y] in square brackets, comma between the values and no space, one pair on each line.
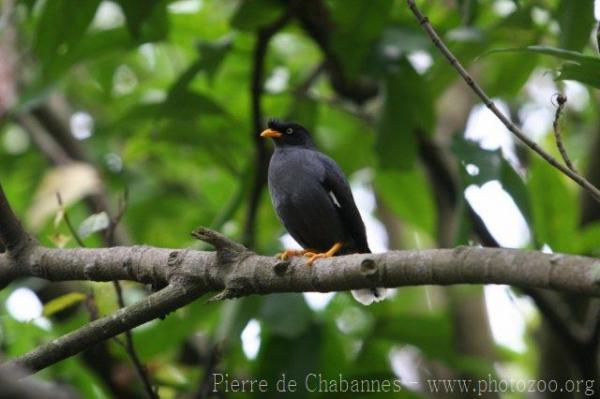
[255,14]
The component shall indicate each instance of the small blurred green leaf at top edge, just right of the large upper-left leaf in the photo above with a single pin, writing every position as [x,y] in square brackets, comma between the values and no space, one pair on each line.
[147,23]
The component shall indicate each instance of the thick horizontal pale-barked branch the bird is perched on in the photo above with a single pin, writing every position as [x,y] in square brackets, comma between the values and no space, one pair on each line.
[242,272]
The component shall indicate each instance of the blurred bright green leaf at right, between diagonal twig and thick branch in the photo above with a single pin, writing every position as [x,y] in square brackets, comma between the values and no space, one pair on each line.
[554,206]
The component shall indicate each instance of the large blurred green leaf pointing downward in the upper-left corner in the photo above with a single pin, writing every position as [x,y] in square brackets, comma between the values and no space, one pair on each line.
[59,28]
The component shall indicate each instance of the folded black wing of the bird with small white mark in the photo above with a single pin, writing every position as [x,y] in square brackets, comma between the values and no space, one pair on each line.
[339,191]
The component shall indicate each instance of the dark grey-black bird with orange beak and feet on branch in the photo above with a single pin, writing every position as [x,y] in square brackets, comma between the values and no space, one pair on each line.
[313,200]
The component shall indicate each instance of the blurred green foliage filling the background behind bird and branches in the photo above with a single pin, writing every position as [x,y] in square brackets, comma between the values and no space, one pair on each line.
[160,102]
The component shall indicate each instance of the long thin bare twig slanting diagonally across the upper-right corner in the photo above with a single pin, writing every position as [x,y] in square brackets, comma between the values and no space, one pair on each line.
[437,41]
